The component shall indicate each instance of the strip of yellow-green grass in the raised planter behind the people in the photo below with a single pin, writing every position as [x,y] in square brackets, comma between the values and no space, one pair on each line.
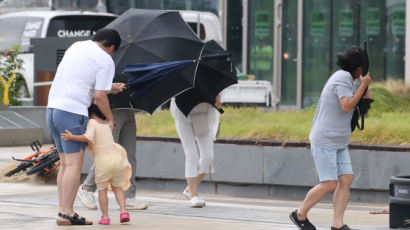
[388,122]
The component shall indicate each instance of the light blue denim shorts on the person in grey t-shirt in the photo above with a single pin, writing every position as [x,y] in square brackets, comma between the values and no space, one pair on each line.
[331,163]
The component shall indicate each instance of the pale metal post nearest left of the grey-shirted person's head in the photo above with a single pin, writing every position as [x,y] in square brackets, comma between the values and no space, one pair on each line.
[299,64]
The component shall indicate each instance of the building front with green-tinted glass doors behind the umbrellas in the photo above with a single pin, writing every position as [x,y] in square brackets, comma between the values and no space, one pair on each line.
[294,43]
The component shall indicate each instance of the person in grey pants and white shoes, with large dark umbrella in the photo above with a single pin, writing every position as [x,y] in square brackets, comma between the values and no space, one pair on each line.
[146,36]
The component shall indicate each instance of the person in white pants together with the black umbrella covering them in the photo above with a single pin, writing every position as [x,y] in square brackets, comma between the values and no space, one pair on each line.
[197,118]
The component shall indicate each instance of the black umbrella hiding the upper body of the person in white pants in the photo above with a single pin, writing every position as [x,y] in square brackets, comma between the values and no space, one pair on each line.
[215,73]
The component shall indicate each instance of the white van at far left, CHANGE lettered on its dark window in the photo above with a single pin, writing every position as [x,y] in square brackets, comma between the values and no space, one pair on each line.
[17,28]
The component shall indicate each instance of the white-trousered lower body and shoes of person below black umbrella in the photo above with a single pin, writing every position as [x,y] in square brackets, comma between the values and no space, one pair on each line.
[197,132]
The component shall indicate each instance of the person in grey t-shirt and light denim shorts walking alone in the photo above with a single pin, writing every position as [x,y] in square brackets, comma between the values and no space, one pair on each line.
[329,138]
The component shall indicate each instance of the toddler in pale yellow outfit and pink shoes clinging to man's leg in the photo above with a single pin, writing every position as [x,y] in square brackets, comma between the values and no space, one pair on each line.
[111,162]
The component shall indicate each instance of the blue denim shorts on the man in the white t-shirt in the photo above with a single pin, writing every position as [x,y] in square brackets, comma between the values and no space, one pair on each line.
[58,121]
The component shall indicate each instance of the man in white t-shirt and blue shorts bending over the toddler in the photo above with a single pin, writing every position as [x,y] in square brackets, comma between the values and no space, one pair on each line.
[86,72]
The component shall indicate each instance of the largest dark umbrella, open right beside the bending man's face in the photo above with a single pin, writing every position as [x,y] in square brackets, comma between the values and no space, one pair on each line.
[150,36]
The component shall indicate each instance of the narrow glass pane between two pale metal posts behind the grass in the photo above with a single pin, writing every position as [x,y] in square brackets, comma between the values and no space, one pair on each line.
[289,53]
